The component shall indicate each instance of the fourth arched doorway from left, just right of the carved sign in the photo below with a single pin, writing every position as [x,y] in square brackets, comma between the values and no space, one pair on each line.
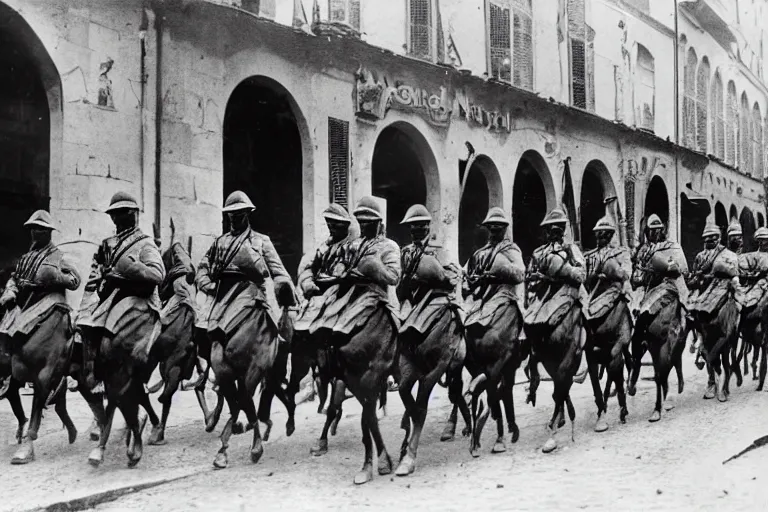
[481,191]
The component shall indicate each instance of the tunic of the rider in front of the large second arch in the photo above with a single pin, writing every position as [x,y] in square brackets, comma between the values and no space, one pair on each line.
[234,271]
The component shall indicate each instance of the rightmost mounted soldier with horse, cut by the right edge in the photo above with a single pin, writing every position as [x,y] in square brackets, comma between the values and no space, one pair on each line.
[753,296]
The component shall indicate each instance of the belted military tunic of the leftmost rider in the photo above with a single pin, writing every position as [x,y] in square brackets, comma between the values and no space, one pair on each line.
[37,289]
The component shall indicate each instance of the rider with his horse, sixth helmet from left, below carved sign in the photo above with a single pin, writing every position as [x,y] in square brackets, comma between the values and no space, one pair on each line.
[432,335]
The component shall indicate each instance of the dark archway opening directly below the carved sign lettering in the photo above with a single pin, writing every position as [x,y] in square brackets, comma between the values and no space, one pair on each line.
[398,177]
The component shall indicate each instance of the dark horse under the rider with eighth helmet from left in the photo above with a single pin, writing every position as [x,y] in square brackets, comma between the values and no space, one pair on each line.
[559,350]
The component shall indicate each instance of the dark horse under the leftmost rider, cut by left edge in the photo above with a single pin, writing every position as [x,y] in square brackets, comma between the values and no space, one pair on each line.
[42,359]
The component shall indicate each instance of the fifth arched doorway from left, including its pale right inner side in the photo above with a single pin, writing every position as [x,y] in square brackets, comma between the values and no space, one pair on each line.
[532,197]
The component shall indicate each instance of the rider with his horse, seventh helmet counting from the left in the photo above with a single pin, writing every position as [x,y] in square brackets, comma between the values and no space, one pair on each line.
[492,291]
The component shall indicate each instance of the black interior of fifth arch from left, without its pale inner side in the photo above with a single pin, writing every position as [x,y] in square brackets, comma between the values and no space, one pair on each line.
[529,206]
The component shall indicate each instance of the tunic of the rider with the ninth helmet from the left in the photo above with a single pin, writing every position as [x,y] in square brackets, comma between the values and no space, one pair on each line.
[615,264]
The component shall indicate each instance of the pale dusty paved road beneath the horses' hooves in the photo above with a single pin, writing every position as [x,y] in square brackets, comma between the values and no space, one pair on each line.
[672,465]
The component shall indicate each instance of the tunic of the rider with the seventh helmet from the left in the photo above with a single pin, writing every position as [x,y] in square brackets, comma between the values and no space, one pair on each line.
[488,301]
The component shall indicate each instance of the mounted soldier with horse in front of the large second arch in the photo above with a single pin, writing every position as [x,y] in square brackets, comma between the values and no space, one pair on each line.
[241,324]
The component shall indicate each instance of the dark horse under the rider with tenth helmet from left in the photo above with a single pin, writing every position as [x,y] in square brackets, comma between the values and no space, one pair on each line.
[665,339]
